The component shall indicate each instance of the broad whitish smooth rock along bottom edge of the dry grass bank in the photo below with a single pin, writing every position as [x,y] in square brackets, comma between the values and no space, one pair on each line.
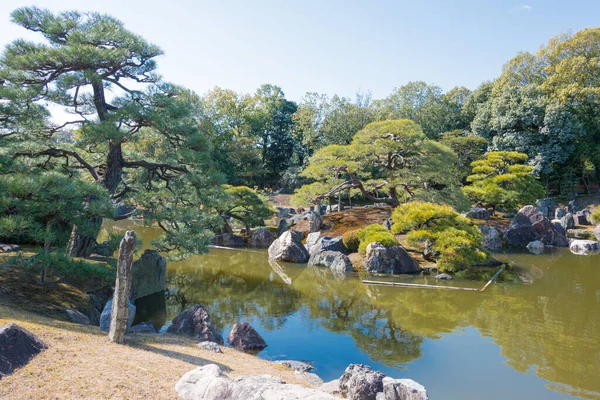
[210,383]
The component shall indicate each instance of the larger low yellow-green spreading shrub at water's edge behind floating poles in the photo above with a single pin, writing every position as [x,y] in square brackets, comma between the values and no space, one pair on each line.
[454,237]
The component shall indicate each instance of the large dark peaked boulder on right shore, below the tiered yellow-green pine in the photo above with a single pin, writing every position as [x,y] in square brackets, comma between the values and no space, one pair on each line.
[530,225]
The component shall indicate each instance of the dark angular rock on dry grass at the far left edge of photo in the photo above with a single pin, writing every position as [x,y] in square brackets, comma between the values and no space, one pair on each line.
[17,347]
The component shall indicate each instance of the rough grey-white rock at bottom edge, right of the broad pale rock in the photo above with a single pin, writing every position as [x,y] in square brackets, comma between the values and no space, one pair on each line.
[360,382]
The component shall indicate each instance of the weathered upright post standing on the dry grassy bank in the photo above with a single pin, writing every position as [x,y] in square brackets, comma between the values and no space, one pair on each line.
[120,309]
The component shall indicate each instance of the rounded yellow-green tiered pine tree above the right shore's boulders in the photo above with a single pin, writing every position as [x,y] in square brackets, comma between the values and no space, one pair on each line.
[502,179]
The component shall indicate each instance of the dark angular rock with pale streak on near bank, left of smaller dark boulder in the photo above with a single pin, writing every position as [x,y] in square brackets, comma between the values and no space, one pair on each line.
[196,322]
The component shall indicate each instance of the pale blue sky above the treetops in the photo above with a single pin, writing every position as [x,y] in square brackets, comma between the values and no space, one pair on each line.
[333,47]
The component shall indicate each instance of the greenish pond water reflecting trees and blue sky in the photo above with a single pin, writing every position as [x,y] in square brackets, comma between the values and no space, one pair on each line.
[535,340]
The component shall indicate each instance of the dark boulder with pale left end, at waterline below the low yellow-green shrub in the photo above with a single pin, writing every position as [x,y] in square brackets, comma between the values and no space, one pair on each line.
[393,260]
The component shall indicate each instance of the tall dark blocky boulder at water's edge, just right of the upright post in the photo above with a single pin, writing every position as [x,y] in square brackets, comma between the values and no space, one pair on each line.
[148,274]
